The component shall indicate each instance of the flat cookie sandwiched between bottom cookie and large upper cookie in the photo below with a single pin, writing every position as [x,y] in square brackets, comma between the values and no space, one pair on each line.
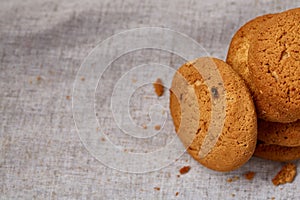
[283,134]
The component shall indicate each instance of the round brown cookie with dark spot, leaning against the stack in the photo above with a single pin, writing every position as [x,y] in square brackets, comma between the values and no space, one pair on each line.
[238,136]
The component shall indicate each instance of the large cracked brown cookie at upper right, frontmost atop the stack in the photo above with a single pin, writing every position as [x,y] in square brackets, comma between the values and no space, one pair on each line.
[274,64]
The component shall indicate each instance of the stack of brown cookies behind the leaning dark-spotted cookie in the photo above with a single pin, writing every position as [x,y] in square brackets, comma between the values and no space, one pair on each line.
[265,52]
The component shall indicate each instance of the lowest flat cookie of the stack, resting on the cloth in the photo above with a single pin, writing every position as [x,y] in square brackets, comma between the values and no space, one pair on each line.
[277,153]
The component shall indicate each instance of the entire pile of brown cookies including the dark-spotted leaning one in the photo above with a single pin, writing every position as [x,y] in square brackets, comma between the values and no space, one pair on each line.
[260,90]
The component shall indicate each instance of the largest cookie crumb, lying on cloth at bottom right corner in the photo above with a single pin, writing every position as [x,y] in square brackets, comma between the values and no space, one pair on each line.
[285,175]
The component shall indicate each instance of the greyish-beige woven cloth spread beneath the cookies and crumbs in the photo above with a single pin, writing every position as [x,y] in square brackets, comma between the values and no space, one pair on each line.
[42,45]
